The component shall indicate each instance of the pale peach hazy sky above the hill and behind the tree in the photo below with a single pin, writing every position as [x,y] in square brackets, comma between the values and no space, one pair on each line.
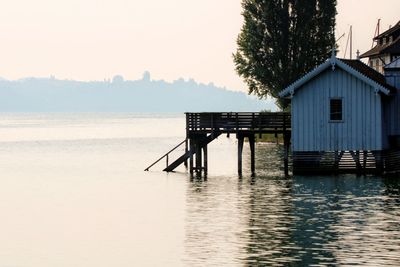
[96,39]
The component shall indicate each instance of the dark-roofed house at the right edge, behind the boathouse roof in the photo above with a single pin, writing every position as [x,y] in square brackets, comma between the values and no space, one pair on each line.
[387,49]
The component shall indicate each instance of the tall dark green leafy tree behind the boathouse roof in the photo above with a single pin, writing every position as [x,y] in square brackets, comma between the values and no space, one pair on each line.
[281,40]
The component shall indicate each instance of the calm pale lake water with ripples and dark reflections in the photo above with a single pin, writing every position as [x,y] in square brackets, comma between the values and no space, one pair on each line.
[73,193]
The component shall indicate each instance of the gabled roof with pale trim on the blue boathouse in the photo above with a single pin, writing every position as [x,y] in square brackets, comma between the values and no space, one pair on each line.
[354,67]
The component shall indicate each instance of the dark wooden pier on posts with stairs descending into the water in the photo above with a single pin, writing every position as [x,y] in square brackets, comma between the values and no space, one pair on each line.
[203,128]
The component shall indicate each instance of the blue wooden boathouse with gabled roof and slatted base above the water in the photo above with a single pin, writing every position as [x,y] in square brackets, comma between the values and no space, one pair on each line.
[345,118]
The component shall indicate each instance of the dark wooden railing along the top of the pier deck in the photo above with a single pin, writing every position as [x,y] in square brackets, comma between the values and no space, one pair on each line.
[233,122]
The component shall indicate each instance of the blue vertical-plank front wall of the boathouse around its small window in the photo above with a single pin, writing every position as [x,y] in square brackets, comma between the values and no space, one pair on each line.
[361,128]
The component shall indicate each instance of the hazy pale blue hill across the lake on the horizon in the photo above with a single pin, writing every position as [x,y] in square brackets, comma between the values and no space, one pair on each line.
[145,95]
